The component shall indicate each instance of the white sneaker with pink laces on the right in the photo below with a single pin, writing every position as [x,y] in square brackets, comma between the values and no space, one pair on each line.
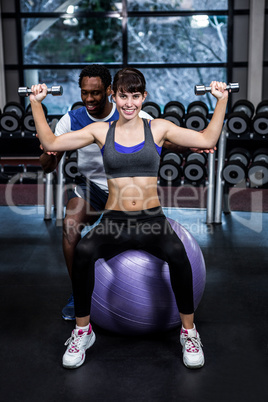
[193,356]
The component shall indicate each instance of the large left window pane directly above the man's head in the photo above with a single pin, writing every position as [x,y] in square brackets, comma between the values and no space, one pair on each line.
[56,40]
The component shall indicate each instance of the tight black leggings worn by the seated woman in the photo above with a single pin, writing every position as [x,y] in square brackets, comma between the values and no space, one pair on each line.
[119,231]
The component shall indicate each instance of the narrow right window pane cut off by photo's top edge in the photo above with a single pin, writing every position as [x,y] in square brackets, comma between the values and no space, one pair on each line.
[176,5]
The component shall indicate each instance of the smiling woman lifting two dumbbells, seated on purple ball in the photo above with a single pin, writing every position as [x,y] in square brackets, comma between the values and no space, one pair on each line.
[133,217]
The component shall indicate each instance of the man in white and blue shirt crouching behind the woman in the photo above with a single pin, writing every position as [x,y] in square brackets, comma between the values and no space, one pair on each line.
[89,196]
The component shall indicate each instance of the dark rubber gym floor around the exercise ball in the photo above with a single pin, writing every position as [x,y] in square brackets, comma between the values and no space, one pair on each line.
[232,319]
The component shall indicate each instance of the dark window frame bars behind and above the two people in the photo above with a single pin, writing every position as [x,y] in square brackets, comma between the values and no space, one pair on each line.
[18,15]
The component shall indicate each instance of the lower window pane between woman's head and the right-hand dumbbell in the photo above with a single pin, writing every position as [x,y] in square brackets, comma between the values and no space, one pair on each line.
[177,84]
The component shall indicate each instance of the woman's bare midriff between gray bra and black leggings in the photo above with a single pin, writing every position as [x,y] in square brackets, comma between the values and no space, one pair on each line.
[132,193]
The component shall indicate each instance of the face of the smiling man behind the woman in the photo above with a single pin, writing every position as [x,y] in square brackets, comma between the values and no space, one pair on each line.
[94,96]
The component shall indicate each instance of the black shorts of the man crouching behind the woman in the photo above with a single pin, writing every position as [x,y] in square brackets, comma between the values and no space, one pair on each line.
[90,192]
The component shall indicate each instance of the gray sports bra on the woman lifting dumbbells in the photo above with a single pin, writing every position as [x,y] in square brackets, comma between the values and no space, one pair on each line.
[143,163]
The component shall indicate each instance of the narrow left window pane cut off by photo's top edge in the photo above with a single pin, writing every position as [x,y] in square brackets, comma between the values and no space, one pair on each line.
[48,6]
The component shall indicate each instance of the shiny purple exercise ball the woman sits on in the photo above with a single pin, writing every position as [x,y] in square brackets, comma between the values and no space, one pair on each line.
[133,295]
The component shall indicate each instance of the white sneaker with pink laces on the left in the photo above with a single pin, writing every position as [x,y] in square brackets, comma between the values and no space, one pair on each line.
[78,343]
